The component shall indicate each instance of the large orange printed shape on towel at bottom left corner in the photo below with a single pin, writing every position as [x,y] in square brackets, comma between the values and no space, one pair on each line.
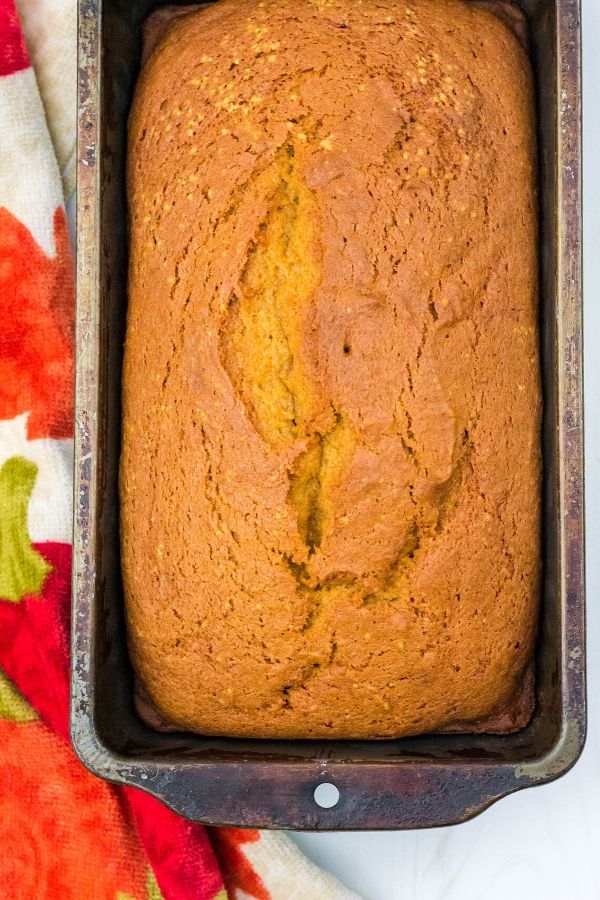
[60,826]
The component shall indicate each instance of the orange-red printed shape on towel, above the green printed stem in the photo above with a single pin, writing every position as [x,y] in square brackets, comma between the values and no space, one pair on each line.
[36,320]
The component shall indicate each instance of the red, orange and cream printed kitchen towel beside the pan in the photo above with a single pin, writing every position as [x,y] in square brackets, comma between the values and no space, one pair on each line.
[63,832]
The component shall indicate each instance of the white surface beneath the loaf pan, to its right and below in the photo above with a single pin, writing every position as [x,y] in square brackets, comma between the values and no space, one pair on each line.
[540,844]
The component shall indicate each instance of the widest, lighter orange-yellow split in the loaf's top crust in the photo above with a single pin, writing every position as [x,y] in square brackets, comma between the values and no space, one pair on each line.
[262,334]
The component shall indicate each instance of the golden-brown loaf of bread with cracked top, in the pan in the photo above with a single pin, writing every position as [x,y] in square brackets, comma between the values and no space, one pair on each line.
[330,470]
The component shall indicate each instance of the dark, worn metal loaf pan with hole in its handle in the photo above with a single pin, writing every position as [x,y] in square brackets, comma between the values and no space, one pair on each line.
[416,782]
